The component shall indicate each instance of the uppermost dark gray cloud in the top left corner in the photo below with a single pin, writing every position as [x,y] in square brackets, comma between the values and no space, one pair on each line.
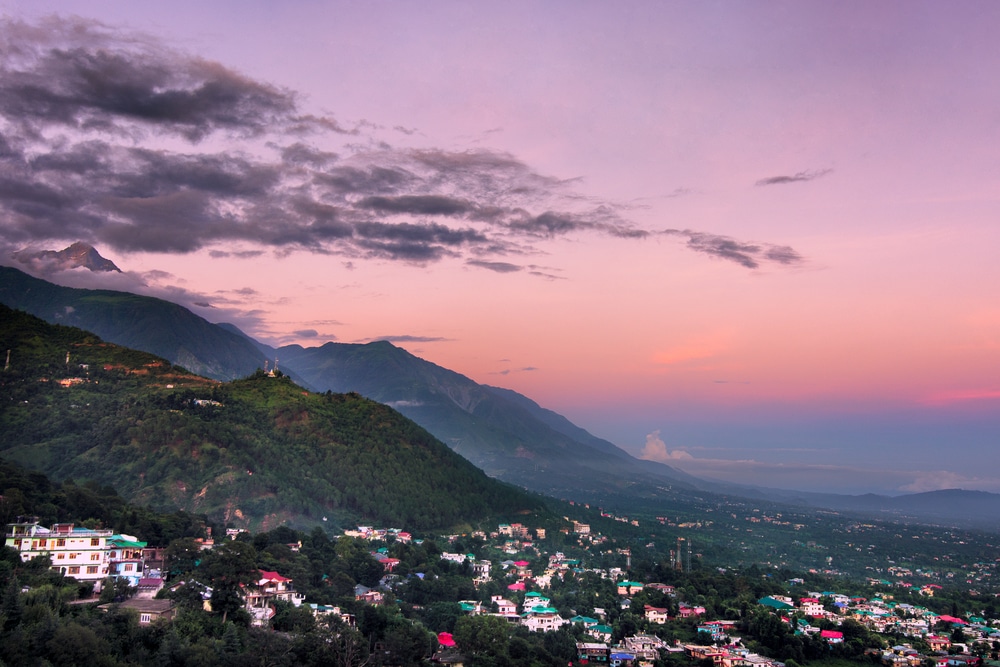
[83,75]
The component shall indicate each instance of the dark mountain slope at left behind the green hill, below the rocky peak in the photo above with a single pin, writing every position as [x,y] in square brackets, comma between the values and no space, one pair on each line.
[140,322]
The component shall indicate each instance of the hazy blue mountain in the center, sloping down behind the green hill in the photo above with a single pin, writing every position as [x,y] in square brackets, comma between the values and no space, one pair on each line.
[506,434]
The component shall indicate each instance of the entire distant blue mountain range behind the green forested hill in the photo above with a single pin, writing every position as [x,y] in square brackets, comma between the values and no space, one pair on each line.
[507,435]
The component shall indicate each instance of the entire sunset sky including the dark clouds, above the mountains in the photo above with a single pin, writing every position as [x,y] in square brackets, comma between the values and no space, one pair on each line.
[753,241]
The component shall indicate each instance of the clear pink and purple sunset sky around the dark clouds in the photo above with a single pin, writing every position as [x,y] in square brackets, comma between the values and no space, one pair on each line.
[863,137]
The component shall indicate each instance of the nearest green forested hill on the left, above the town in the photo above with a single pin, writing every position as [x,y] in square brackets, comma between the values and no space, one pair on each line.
[256,452]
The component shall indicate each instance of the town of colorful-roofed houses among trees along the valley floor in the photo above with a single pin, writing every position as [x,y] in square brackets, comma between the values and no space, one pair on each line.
[543,595]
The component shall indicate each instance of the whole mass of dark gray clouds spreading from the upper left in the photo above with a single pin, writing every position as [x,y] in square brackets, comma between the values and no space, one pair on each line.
[118,140]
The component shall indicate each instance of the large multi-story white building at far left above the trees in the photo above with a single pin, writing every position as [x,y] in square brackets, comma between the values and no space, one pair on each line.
[82,553]
